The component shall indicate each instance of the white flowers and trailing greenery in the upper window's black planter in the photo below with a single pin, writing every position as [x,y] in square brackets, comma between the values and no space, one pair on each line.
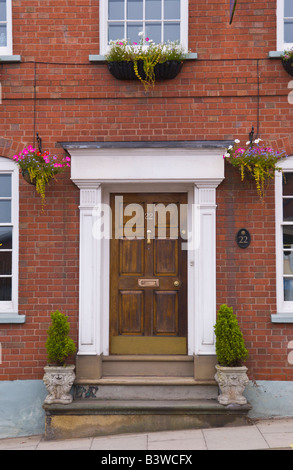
[146,51]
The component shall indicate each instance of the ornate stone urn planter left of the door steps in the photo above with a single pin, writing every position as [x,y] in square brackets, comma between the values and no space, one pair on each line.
[58,381]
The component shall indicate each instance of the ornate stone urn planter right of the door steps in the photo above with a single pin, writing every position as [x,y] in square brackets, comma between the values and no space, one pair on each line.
[232,382]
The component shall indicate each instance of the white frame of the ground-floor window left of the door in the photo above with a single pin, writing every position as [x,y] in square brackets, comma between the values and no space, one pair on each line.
[9,309]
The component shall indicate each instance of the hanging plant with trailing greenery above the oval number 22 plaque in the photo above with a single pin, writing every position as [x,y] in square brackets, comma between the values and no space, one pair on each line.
[255,161]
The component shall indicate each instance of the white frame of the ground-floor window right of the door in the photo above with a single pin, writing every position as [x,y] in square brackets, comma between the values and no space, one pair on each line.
[284,308]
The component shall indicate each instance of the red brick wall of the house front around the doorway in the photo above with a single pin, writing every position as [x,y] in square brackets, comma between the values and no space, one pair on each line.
[58,93]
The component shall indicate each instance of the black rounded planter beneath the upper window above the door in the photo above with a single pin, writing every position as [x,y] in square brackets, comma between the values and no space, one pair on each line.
[125,71]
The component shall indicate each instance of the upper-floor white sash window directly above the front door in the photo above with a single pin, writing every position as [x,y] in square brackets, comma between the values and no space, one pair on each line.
[159,20]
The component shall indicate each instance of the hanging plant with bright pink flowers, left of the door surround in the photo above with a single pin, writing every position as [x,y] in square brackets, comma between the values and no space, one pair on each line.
[41,167]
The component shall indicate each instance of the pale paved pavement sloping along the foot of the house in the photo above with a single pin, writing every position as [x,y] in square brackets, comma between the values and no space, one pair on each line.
[268,434]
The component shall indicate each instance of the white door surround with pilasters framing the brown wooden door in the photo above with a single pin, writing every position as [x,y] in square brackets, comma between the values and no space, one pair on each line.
[99,171]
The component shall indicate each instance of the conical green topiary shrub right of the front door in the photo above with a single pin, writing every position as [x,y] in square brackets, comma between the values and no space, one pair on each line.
[230,347]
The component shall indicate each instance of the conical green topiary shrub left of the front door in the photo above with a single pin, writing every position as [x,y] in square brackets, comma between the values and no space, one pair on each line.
[59,346]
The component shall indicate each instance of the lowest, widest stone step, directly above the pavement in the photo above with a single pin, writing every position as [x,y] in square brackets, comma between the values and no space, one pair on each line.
[89,418]
